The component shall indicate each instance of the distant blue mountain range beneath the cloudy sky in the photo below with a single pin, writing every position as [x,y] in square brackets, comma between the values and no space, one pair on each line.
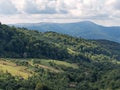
[85,29]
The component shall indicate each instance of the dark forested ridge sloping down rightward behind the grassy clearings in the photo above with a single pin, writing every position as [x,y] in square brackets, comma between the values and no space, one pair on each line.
[23,43]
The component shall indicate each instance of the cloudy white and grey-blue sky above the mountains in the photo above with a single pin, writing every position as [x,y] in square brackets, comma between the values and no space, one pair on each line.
[103,12]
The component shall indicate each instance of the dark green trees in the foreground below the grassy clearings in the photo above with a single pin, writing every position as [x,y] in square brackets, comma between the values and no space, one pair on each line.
[92,76]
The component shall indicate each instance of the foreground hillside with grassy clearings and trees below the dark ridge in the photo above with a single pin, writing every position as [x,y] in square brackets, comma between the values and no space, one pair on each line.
[41,74]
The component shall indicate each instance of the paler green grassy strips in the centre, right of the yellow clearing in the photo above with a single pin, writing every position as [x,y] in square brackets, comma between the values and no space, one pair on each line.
[44,63]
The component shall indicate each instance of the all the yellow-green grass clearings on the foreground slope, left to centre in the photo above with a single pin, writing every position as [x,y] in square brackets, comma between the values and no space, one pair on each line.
[25,72]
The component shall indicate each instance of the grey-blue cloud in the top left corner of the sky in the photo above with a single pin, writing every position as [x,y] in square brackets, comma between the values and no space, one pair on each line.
[7,7]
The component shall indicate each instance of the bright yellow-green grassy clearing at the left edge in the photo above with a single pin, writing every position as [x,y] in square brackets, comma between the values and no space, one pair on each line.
[14,69]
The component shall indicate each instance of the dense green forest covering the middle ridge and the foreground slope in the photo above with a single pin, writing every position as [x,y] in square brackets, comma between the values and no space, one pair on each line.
[98,61]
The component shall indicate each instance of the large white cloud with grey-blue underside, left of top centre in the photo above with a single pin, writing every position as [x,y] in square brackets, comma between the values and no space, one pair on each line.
[43,7]
